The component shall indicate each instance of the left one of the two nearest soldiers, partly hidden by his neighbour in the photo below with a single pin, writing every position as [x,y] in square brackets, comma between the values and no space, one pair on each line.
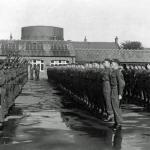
[107,89]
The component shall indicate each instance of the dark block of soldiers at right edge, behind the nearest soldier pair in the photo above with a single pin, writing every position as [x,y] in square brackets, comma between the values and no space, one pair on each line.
[137,87]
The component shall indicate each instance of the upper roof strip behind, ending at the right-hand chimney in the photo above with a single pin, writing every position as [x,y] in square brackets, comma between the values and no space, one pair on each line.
[95,45]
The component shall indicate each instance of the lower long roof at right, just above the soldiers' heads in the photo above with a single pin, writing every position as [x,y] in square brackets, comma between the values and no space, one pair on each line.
[90,55]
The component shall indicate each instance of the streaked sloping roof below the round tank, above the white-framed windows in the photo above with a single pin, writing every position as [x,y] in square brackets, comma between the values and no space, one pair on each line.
[36,48]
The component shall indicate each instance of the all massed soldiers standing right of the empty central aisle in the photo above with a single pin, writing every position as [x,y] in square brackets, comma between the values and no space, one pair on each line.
[104,86]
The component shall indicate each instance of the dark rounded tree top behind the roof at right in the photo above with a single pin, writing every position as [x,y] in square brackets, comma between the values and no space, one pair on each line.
[132,45]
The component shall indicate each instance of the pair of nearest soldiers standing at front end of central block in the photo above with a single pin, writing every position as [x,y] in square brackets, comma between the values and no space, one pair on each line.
[113,85]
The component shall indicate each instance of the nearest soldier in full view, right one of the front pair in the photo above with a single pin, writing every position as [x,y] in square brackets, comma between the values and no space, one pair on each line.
[117,85]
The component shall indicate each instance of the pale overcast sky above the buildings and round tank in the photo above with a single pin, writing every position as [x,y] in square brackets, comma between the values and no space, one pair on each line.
[99,20]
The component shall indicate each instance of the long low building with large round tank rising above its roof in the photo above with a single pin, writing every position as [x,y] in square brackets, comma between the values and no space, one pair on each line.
[45,45]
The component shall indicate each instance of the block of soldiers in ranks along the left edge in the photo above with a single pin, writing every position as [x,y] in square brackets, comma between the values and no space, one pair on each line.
[13,75]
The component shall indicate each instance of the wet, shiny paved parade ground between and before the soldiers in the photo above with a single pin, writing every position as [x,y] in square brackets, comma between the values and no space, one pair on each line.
[45,119]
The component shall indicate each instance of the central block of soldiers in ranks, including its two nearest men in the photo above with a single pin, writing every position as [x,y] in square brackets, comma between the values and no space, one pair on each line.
[100,87]
